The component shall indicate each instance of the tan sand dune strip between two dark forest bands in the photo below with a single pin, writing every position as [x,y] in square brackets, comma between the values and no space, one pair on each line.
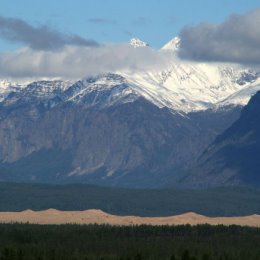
[53,216]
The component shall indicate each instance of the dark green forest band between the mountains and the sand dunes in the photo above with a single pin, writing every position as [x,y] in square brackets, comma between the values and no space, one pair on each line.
[212,202]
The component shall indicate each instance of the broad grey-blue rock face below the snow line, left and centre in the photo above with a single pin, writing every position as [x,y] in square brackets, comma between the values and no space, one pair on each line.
[132,144]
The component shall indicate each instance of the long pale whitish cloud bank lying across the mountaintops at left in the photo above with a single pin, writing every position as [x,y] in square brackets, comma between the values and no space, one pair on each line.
[75,62]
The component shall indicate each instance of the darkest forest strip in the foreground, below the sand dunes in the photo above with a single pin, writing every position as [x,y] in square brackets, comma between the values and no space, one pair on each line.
[93,242]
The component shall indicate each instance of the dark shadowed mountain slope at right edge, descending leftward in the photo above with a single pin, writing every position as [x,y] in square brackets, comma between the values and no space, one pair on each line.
[234,157]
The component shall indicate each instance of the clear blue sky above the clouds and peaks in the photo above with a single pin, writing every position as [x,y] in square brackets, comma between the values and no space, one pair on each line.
[112,21]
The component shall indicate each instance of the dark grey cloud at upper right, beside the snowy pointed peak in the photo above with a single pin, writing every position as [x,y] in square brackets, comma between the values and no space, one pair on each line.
[235,40]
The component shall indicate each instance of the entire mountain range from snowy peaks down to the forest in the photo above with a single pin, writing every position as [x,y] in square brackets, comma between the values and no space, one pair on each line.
[151,128]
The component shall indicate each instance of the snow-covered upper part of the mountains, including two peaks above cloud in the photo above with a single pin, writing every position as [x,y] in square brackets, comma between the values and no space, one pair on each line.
[182,86]
